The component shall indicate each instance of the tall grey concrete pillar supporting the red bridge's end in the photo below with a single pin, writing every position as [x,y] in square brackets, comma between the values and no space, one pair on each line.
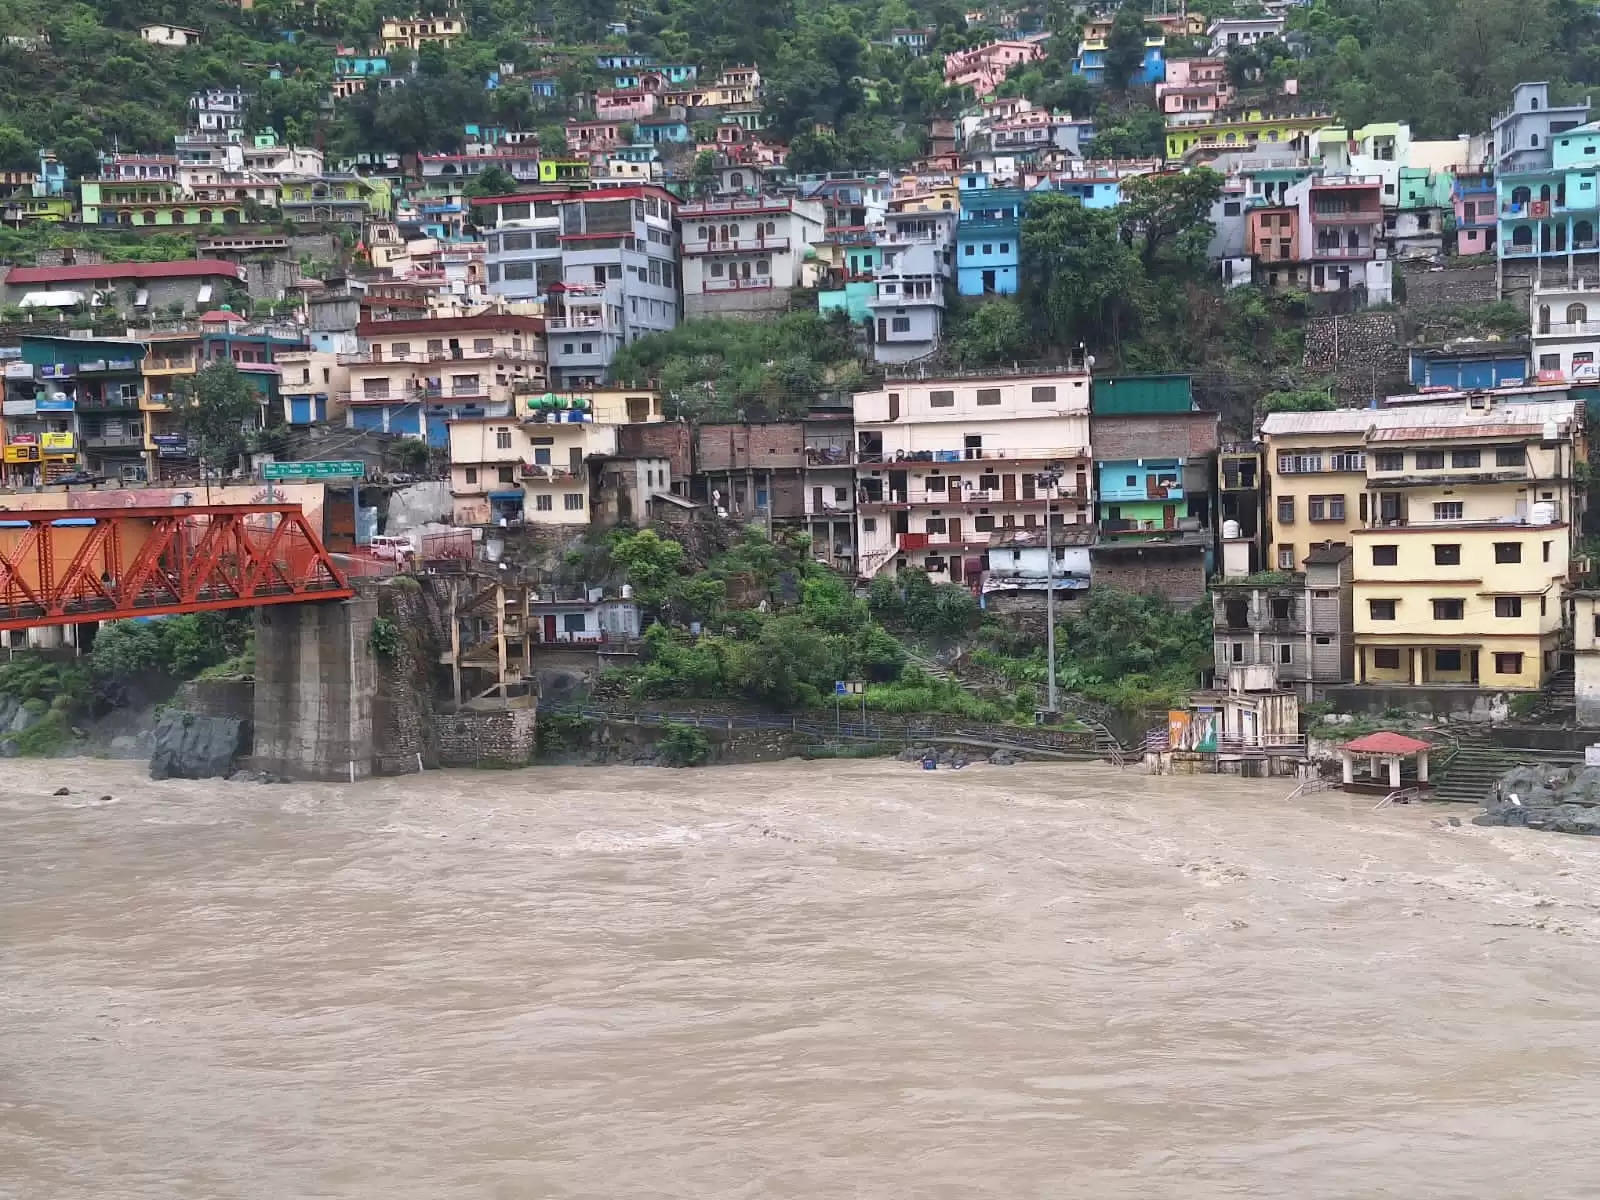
[316,681]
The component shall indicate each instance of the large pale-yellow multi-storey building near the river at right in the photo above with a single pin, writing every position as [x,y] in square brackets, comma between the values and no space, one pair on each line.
[1462,518]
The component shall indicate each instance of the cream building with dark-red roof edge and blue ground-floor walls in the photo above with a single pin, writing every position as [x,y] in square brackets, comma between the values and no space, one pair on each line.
[415,377]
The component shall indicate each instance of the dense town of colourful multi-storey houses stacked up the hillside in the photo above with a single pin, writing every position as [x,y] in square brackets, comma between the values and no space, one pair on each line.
[1409,532]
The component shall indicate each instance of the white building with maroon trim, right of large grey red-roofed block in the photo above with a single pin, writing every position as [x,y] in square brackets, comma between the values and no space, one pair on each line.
[745,257]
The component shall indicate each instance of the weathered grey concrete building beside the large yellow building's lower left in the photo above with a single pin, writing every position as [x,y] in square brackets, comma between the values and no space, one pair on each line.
[1300,623]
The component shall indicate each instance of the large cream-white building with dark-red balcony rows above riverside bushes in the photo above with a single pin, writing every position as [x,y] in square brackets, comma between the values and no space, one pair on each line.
[943,463]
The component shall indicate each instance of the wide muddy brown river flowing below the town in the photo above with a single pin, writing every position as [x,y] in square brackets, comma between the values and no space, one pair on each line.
[801,980]
